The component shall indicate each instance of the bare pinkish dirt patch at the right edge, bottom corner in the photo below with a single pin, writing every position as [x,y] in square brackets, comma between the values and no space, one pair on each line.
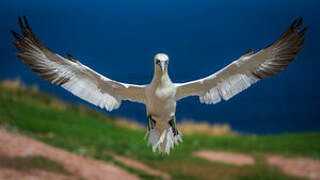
[302,167]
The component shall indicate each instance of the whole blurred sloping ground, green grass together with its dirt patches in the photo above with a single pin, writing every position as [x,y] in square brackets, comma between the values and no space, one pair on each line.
[85,137]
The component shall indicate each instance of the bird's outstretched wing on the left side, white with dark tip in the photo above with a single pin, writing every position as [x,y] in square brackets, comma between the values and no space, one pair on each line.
[73,76]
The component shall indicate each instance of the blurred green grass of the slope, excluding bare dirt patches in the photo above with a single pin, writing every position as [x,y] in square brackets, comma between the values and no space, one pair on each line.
[96,135]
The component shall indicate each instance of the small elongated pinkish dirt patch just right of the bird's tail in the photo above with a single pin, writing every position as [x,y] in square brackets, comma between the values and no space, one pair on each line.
[225,157]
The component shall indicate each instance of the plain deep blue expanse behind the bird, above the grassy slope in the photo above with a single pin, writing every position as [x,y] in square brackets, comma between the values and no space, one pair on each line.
[200,37]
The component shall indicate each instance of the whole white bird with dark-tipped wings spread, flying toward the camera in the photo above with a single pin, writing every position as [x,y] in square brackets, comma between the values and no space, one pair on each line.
[161,95]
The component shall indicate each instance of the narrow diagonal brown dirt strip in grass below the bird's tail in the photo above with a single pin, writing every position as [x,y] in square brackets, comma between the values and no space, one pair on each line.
[142,167]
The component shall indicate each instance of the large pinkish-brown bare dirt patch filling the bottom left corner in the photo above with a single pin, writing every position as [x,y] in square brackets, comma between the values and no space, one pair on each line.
[14,145]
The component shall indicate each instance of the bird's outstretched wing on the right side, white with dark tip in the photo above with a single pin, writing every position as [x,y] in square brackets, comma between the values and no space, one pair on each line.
[248,69]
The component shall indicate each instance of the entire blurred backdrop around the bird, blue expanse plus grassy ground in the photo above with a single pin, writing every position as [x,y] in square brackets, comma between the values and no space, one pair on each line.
[270,131]
